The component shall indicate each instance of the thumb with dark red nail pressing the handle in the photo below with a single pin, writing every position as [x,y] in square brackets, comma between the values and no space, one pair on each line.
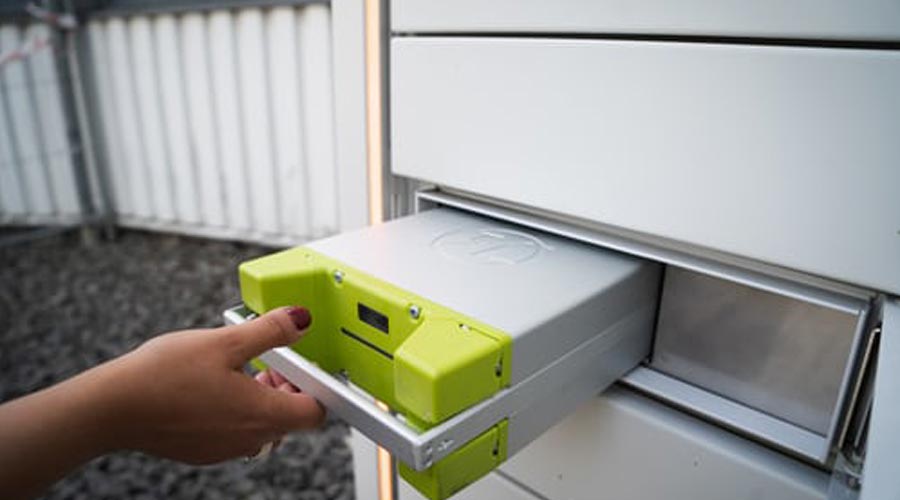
[276,328]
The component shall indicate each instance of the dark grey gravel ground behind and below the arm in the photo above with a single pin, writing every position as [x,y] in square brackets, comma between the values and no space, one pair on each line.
[65,307]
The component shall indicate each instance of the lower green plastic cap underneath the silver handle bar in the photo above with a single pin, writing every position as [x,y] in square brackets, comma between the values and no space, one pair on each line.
[462,467]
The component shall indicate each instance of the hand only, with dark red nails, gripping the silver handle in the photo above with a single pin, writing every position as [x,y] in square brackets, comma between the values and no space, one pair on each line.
[184,396]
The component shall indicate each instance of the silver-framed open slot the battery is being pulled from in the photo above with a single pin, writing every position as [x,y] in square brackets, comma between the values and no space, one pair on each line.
[770,358]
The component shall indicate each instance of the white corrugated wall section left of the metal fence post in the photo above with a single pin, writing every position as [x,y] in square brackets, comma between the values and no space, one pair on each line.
[37,183]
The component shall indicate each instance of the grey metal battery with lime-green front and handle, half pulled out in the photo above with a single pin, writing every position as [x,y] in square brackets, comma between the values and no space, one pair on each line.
[477,334]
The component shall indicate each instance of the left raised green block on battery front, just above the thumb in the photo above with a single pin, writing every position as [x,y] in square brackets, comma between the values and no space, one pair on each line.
[277,280]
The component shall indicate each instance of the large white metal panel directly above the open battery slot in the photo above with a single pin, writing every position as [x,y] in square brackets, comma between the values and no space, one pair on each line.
[782,155]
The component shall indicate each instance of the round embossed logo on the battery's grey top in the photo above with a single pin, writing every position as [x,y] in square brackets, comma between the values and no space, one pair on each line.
[491,246]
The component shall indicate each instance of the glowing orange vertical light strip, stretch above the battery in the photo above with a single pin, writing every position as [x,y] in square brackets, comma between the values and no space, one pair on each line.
[374,110]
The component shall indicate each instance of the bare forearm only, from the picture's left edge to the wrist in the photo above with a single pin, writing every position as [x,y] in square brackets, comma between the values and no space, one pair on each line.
[46,435]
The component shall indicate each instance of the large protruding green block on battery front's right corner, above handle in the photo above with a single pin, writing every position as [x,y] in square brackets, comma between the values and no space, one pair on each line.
[443,368]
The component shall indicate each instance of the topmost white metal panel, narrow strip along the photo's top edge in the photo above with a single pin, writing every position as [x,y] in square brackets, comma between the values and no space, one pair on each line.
[827,19]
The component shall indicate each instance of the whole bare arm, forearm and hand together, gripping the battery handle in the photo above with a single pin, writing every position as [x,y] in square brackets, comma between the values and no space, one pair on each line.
[181,396]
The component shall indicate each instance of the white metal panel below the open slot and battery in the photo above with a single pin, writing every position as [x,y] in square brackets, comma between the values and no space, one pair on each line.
[630,447]
